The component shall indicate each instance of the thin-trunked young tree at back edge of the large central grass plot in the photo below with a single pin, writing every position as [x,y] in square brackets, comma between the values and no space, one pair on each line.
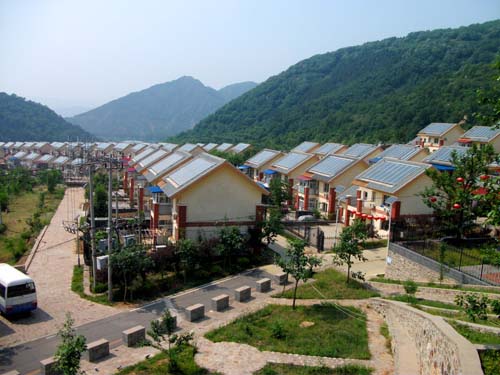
[297,264]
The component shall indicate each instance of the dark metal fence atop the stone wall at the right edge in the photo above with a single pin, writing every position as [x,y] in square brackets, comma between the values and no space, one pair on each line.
[471,261]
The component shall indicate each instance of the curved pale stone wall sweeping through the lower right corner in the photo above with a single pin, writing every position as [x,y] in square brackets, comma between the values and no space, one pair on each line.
[439,348]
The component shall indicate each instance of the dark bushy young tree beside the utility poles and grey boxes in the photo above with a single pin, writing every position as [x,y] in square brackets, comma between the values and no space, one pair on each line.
[130,262]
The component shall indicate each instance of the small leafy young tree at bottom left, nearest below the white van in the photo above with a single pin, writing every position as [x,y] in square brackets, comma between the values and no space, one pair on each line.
[71,348]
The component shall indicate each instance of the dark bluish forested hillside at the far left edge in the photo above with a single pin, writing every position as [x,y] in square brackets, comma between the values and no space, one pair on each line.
[24,120]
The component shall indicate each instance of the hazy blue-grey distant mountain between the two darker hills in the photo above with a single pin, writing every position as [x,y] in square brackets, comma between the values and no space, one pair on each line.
[157,112]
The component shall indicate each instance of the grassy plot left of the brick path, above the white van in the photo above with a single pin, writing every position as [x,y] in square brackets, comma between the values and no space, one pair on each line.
[18,239]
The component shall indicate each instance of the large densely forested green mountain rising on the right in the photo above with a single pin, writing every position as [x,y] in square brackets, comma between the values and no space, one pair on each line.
[379,91]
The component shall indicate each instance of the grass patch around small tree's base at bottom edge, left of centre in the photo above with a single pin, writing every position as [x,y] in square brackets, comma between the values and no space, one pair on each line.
[158,364]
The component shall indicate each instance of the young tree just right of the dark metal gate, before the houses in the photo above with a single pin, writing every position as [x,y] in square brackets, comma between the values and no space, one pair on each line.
[350,247]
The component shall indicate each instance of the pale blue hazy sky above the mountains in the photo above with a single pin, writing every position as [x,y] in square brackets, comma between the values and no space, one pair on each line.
[75,55]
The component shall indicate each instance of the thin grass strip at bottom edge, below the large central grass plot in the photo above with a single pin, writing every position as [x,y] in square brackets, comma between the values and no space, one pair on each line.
[282,369]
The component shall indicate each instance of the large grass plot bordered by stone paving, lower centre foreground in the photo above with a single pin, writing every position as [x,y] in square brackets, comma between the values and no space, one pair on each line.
[335,333]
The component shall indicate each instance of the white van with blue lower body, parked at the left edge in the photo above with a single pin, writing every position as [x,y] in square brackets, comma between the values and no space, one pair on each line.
[17,291]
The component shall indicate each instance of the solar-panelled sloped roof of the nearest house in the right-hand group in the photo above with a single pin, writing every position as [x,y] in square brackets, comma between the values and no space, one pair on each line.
[390,175]
